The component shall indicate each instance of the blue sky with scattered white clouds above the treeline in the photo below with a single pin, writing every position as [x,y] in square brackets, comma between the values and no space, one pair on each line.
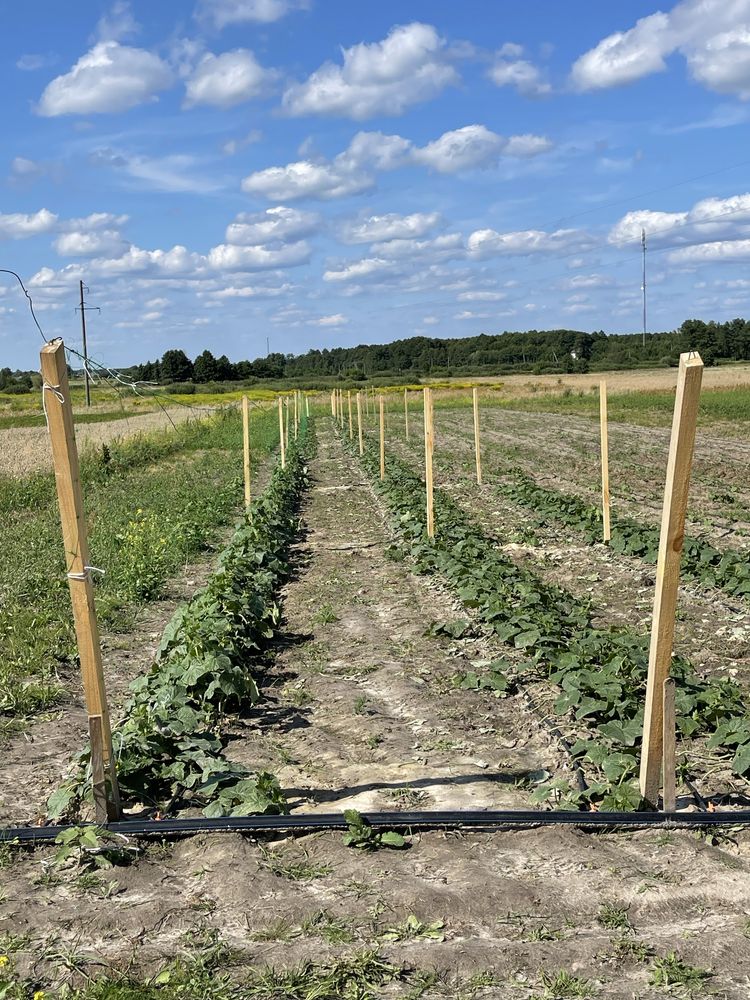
[320,172]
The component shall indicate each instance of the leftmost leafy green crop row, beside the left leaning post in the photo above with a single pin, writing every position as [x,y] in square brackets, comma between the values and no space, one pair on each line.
[170,748]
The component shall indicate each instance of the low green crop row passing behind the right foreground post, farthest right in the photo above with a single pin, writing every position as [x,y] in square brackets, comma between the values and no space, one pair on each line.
[726,569]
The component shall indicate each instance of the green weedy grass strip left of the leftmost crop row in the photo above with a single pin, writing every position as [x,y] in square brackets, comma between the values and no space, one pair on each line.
[150,509]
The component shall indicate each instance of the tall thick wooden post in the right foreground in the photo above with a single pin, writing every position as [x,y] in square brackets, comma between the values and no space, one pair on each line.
[680,462]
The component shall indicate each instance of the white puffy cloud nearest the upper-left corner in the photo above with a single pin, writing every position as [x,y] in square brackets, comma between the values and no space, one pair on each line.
[109,78]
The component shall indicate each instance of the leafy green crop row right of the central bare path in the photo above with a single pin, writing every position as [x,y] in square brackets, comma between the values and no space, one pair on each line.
[601,672]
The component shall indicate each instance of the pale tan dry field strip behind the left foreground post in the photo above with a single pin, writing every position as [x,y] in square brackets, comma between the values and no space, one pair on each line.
[24,450]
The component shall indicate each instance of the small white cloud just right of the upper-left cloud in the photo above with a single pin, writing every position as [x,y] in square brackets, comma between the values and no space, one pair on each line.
[227,79]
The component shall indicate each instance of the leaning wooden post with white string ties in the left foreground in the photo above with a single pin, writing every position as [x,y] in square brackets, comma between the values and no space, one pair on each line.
[75,540]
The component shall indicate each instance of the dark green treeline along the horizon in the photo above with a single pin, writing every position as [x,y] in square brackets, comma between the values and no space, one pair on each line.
[537,351]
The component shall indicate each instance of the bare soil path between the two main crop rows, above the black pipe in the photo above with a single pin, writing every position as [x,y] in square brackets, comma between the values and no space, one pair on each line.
[361,711]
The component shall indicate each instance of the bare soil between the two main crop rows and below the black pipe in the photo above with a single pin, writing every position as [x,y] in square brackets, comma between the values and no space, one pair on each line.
[359,710]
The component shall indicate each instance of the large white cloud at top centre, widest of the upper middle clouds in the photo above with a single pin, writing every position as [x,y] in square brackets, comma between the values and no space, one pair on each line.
[407,67]
